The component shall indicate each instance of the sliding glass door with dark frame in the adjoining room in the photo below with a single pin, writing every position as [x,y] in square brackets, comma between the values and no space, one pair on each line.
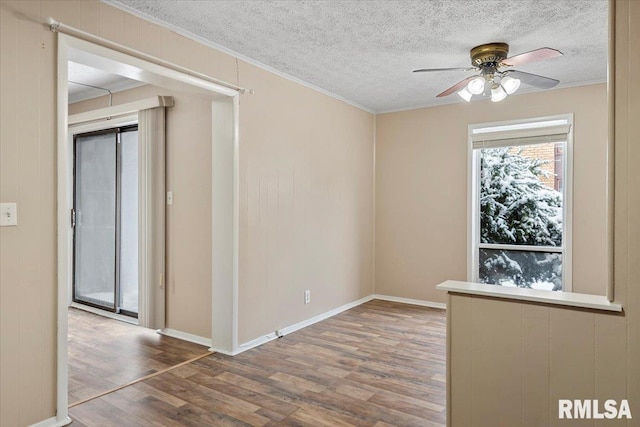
[106,220]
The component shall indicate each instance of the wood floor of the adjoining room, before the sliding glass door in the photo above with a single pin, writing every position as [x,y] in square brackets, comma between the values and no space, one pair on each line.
[106,353]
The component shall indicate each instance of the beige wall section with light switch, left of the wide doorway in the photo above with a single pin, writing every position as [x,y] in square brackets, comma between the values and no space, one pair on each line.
[27,252]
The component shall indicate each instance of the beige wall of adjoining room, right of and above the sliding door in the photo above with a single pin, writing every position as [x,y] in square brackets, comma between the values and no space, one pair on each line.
[188,252]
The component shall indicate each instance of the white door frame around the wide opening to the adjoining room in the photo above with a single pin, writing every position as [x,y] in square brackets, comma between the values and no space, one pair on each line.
[225,141]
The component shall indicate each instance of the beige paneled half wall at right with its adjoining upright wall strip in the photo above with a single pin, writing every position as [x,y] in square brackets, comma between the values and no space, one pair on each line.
[512,361]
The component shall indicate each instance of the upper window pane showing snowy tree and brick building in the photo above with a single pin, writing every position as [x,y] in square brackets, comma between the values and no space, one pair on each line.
[519,202]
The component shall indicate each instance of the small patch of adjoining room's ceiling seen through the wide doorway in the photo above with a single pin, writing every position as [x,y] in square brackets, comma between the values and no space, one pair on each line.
[79,73]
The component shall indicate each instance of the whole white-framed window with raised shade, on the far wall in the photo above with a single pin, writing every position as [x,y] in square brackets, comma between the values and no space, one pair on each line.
[520,203]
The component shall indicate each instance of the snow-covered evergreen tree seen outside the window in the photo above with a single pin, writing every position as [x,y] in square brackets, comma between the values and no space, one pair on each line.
[517,208]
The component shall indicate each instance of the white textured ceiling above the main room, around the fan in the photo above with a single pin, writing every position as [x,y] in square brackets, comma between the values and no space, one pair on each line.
[365,51]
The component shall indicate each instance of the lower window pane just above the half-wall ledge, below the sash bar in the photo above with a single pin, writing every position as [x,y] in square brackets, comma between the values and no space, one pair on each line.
[523,269]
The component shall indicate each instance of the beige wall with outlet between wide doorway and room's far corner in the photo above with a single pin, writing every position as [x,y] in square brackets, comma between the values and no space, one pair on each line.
[306,211]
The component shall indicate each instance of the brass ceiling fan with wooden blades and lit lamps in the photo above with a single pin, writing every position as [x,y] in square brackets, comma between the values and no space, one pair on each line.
[495,74]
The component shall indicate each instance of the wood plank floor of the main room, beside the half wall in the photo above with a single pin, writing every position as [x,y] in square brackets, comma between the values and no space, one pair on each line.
[378,364]
